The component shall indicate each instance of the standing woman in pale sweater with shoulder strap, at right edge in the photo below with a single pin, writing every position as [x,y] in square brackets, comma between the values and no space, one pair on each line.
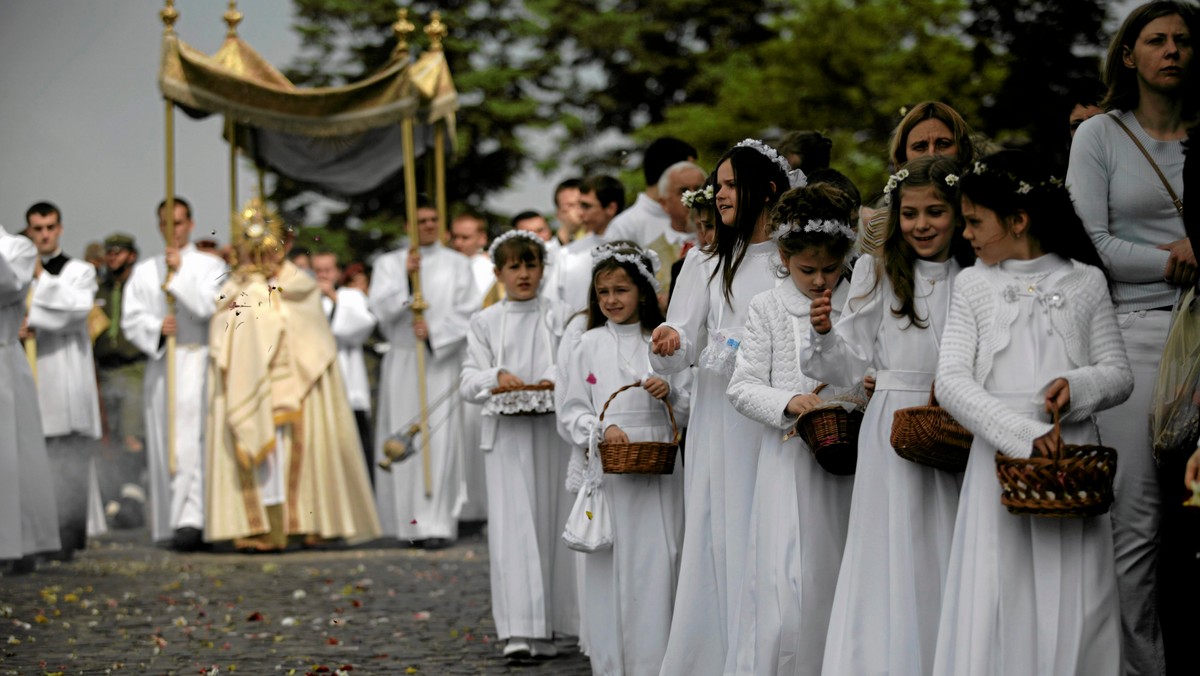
[1125,175]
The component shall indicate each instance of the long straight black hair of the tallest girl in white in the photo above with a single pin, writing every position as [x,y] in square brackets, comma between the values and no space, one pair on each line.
[759,182]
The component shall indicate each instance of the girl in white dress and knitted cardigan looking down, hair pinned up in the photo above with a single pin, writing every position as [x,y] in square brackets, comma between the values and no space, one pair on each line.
[799,523]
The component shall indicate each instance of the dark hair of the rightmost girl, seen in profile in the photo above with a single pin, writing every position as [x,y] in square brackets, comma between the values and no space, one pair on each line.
[1013,182]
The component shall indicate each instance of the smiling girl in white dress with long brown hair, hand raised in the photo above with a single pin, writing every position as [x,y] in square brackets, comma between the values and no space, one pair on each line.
[902,518]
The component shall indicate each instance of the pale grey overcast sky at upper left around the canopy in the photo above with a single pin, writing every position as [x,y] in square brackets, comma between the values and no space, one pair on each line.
[83,118]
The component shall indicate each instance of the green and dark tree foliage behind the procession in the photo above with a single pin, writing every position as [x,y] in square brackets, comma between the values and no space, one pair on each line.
[586,82]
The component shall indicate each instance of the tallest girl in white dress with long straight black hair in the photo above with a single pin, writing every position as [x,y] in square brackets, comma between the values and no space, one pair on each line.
[705,325]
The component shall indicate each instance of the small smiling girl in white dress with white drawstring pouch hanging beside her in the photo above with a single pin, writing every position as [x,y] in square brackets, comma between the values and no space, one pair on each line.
[629,590]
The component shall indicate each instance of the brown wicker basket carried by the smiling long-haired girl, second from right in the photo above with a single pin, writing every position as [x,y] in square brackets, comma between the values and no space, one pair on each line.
[931,436]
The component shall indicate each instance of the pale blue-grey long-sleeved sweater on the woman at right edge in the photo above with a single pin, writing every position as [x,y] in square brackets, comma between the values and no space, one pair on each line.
[1125,207]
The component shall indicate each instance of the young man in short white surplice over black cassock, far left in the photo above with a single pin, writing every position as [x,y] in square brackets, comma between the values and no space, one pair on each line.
[64,292]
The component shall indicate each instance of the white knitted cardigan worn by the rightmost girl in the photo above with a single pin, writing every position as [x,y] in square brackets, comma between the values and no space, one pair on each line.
[981,326]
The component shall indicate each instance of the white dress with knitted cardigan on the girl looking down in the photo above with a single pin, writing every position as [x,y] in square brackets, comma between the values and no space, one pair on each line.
[801,512]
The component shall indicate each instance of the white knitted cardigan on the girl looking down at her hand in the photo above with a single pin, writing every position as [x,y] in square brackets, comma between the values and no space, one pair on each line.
[770,370]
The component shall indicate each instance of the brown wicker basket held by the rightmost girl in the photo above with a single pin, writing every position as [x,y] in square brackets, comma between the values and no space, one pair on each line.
[1076,481]
